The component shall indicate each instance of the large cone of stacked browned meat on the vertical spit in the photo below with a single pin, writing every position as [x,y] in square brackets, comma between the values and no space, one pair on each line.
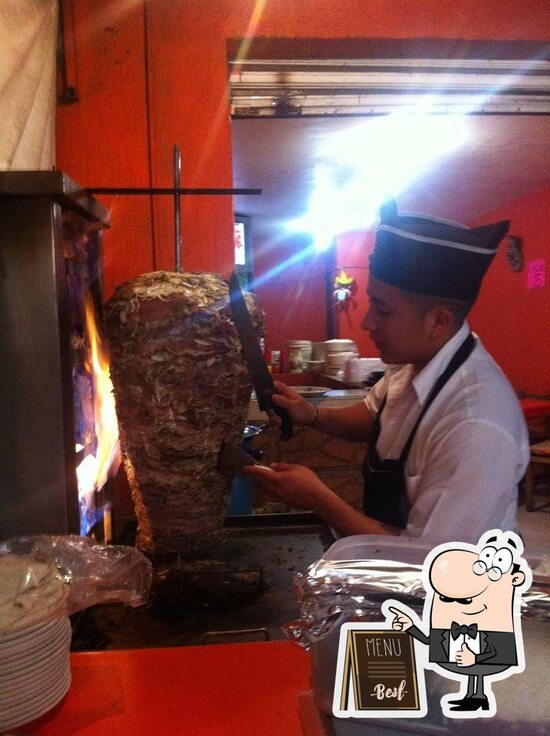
[181,387]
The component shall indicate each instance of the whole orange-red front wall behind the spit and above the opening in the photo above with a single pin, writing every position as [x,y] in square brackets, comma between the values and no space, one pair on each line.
[153,74]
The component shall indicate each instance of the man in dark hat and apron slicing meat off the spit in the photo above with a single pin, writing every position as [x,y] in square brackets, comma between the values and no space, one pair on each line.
[447,441]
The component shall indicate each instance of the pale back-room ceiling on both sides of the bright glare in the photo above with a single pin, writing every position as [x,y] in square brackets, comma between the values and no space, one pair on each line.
[506,156]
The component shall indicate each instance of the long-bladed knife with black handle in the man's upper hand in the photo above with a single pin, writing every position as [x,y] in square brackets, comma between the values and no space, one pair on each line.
[257,367]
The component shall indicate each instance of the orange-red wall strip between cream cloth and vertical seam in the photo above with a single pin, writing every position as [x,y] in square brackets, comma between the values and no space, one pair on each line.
[102,140]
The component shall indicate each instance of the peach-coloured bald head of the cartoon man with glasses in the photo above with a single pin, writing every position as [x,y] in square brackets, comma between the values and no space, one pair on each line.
[467,597]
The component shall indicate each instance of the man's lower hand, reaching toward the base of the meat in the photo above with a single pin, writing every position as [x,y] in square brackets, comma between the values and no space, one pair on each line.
[296,485]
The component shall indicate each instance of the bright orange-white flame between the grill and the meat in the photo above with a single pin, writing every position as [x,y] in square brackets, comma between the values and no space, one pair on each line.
[93,471]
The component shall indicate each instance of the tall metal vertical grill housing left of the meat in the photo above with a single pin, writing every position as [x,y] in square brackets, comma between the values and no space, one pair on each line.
[50,257]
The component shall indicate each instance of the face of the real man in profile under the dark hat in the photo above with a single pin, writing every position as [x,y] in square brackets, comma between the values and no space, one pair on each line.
[396,325]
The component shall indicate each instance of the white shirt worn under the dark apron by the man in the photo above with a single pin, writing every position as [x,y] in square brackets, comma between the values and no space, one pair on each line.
[471,448]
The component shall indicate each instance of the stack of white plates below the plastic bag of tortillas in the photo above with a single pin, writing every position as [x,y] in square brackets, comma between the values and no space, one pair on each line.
[35,671]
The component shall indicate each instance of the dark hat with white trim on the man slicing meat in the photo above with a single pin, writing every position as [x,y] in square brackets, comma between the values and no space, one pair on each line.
[426,255]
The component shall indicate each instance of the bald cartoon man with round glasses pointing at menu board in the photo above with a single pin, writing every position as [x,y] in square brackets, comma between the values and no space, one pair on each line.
[473,603]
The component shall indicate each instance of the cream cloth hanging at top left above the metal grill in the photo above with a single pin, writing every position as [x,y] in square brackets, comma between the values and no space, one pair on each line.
[28,30]
